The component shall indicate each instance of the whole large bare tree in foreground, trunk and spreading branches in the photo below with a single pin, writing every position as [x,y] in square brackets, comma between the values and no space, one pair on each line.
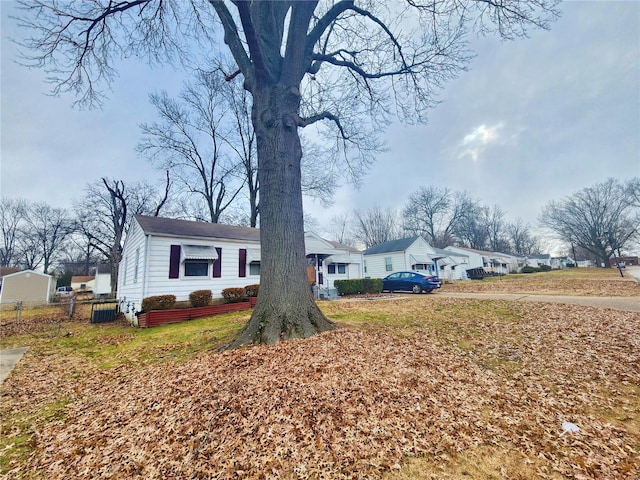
[343,66]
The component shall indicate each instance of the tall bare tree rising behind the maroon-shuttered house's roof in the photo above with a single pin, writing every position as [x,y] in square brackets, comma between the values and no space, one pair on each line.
[192,140]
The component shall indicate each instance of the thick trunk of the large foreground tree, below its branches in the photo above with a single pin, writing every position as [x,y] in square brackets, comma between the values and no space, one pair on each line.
[286,309]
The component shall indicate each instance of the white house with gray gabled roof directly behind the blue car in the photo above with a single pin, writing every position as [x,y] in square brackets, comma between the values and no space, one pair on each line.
[413,253]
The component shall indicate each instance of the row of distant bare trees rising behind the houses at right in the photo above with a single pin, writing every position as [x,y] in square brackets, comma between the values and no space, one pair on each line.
[445,217]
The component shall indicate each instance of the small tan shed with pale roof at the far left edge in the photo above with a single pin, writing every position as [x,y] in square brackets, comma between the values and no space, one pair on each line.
[27,286]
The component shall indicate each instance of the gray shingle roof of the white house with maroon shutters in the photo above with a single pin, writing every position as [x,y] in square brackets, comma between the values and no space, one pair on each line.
[187,228]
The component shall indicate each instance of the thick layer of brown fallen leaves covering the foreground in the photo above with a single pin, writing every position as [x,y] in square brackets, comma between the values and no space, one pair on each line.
[353,404]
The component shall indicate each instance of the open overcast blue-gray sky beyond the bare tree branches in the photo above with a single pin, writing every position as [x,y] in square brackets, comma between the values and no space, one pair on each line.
[531,121]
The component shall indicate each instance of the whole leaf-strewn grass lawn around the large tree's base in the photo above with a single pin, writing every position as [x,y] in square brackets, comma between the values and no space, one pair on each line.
[417,386]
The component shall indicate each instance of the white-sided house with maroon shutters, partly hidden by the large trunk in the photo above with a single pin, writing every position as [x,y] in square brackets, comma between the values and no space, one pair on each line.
[168,256]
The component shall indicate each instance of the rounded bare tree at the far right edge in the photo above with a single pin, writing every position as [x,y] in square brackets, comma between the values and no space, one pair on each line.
[602,219]
